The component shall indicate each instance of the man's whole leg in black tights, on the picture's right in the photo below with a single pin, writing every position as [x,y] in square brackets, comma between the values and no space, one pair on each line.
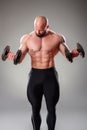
[51,92]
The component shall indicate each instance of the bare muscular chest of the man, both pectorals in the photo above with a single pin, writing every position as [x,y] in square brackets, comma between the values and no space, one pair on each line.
[45,44]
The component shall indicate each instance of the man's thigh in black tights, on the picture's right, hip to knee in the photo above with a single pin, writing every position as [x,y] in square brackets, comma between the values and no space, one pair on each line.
[51,91]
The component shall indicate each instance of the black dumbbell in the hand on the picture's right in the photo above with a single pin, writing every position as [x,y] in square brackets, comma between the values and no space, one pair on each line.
[79,49]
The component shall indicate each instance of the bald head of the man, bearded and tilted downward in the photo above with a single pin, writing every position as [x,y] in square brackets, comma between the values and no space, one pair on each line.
[40,25]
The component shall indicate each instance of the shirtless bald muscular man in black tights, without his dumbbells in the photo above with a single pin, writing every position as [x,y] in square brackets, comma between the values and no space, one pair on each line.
[42,45]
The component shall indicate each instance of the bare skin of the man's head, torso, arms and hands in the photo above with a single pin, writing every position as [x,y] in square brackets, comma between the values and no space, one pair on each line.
[42,45]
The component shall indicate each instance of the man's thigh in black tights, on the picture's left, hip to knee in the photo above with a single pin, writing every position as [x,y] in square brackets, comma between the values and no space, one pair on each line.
[34,91]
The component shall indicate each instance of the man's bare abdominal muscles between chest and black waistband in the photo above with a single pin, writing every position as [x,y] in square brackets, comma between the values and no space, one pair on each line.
[42,59]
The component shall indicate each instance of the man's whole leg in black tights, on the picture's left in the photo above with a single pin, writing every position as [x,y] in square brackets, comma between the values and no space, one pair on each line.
[34,94]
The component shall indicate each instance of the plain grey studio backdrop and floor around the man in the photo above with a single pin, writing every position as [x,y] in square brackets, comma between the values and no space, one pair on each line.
[68,17]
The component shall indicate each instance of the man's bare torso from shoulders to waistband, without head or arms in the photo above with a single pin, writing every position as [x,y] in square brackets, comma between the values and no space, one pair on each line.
[42,50]
